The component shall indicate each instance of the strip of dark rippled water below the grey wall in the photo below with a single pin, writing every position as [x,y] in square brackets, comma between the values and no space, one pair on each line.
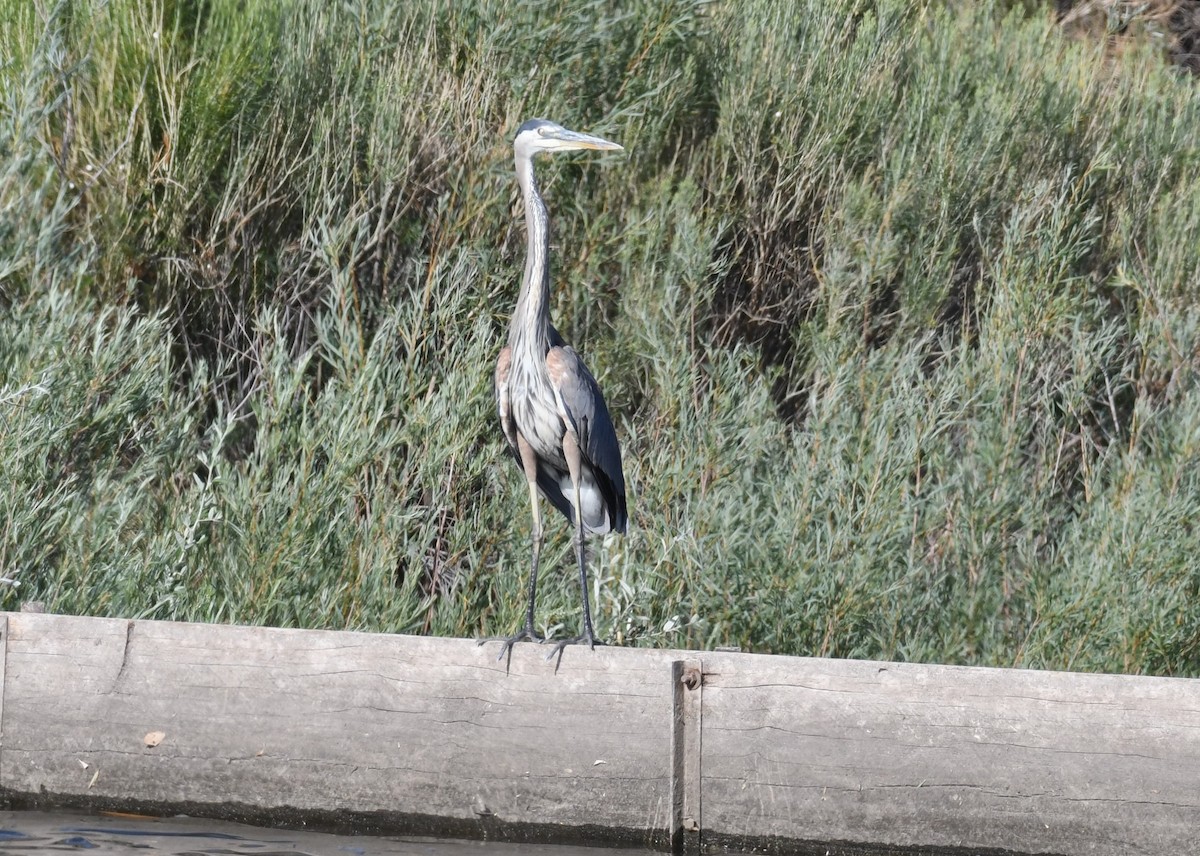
[55,833]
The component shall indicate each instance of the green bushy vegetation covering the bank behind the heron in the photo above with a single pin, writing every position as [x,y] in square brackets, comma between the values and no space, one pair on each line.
[897,307]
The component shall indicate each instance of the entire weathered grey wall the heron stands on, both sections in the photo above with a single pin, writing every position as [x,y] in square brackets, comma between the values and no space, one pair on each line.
[693,751]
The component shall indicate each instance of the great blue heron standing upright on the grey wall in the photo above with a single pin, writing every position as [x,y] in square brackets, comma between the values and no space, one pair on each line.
[551,409]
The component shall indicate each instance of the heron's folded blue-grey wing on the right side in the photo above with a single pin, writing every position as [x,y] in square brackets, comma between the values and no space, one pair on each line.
[583,405]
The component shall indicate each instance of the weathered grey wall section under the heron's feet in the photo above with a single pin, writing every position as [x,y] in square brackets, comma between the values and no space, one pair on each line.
[428,734]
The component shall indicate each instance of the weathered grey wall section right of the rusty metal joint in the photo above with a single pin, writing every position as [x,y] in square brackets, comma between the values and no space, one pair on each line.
[905,756]
